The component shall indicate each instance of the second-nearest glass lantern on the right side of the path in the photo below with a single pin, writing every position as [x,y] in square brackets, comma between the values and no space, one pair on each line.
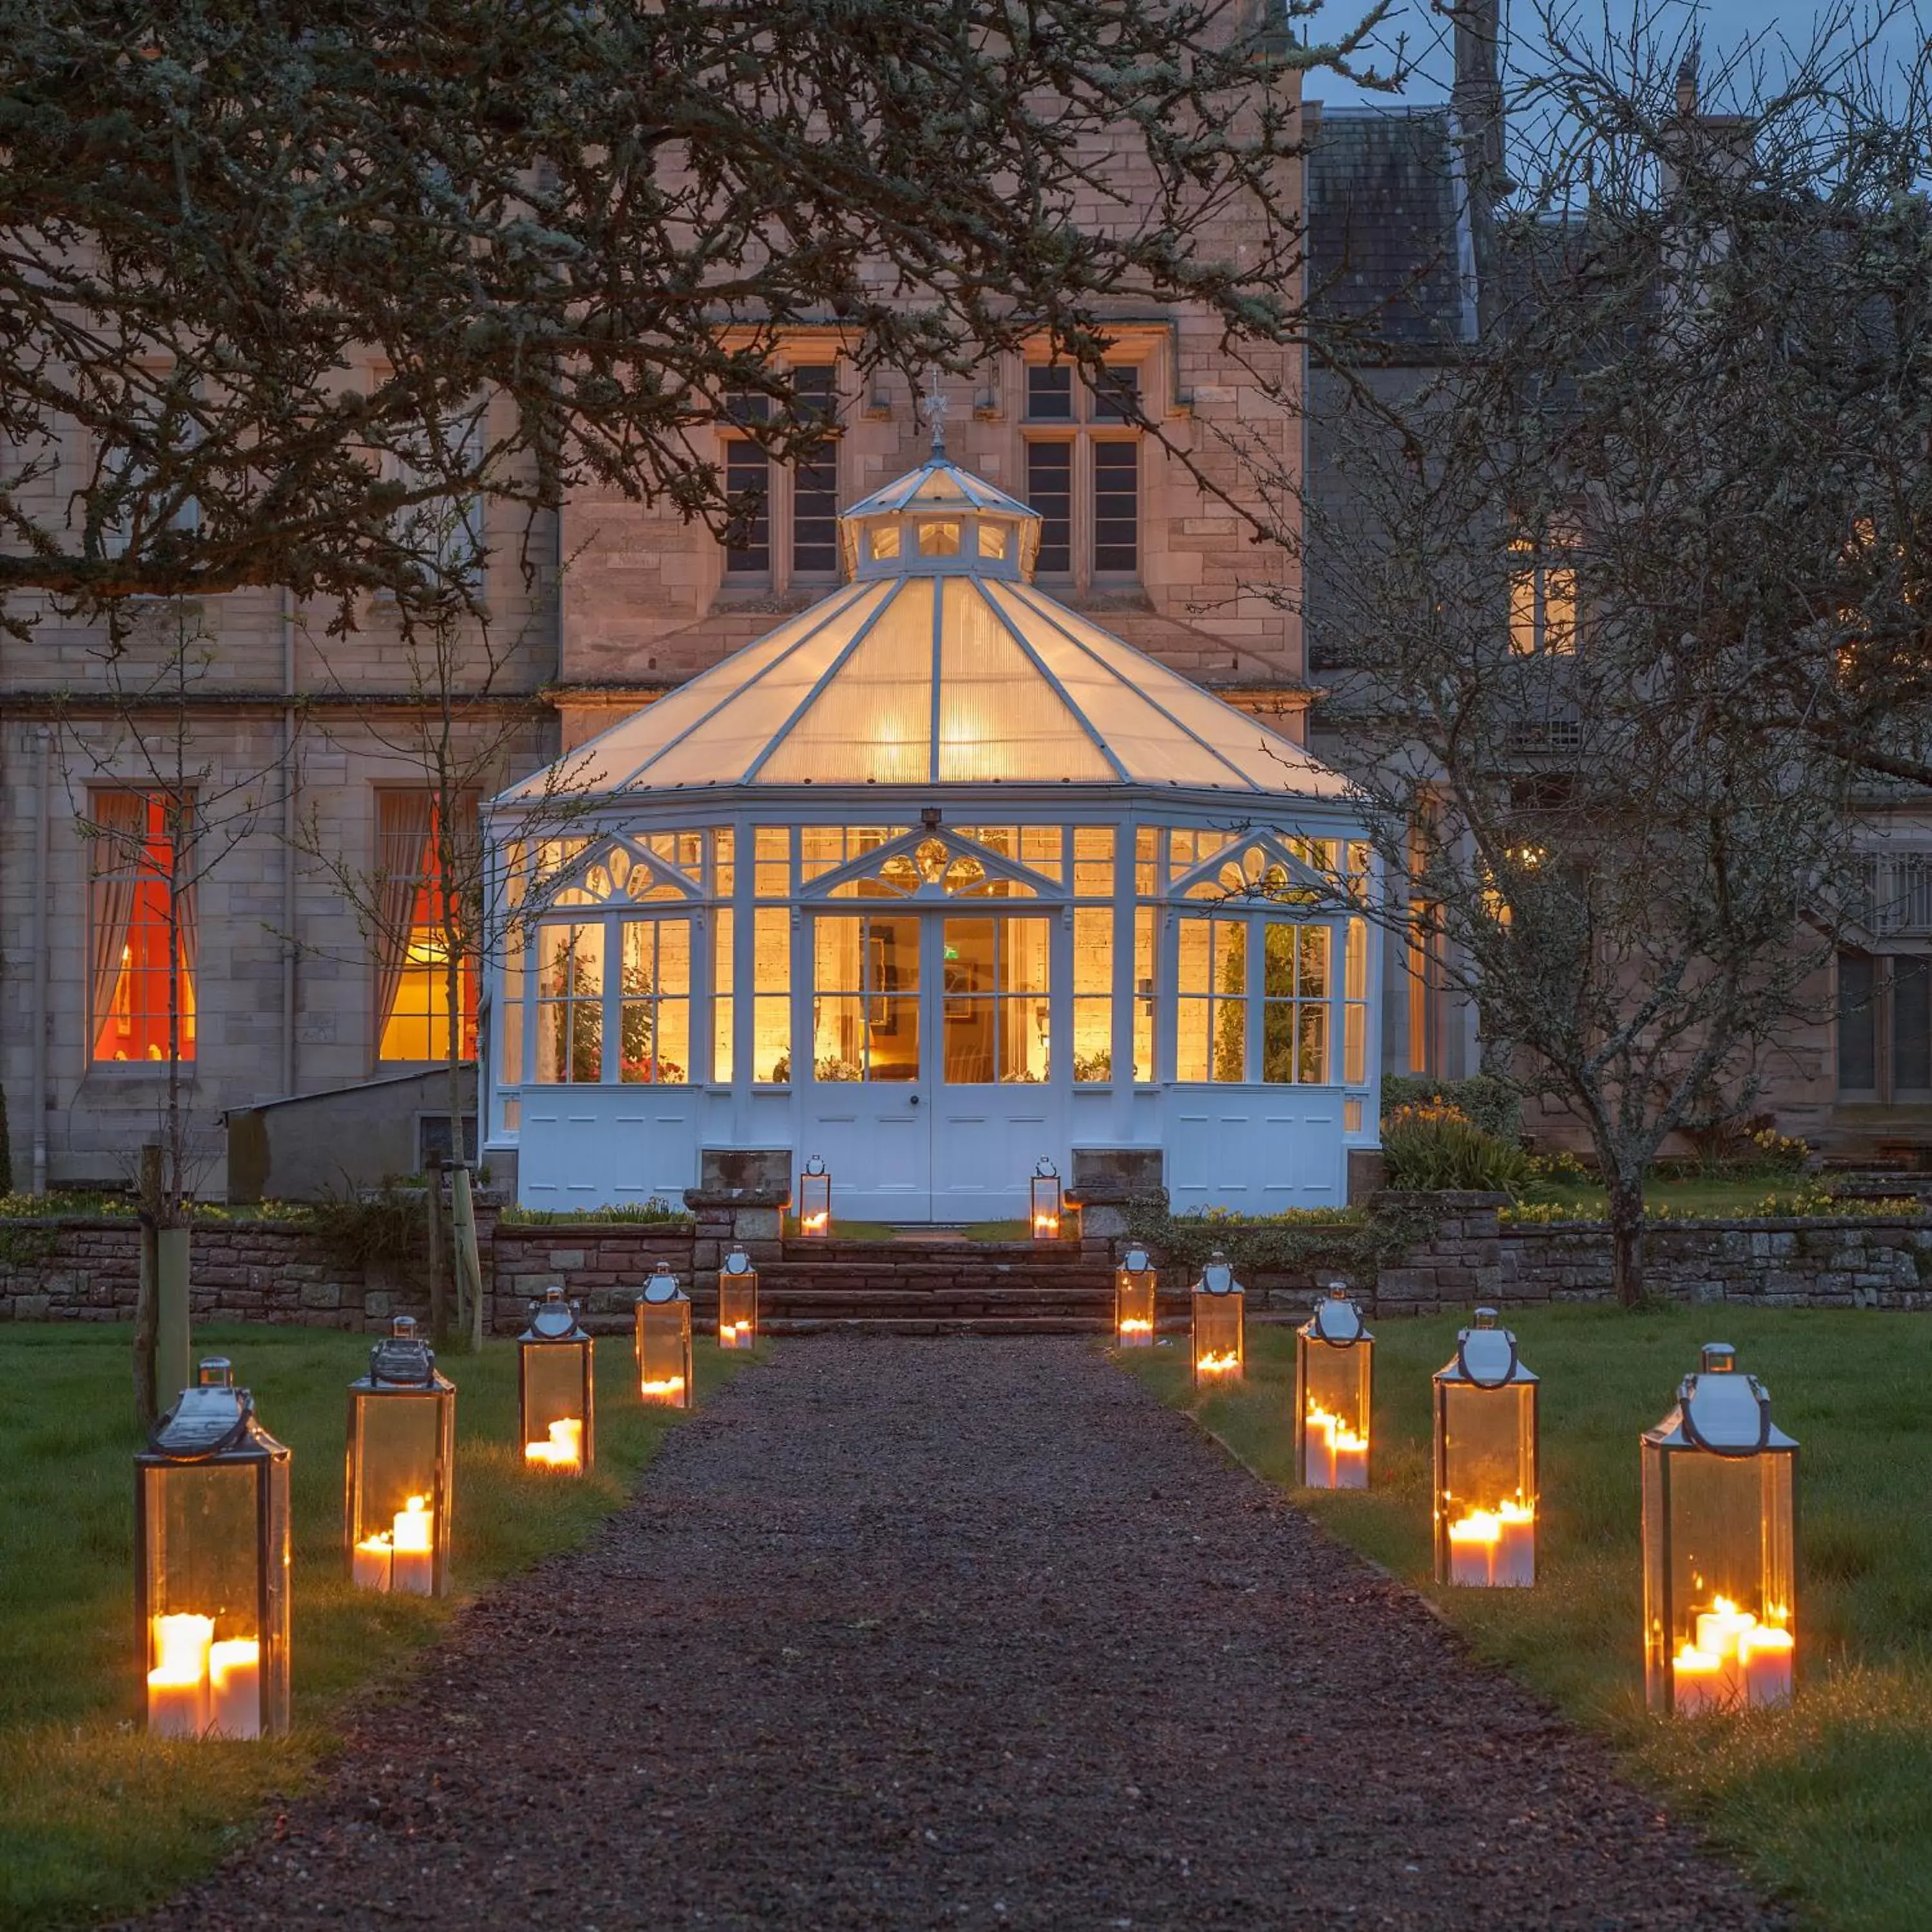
[1487,1462]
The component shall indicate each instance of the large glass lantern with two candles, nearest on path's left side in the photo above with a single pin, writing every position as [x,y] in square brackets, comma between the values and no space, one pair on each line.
[212,1566]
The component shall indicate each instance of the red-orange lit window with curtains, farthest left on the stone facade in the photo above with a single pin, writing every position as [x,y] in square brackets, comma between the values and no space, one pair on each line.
[134,839]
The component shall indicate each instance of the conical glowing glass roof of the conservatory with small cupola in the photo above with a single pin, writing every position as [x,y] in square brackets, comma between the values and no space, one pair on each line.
[940,666]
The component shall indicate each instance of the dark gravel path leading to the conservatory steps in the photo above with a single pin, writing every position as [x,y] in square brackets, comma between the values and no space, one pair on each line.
[961,1634]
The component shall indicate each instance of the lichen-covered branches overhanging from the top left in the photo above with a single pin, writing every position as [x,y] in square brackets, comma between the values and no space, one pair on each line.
[262,262]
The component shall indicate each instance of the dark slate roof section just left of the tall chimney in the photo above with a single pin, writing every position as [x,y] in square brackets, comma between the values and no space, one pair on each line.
[1384,229]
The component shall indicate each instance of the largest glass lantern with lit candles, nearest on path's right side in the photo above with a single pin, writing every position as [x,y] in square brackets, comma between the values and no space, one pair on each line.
[1720,1547]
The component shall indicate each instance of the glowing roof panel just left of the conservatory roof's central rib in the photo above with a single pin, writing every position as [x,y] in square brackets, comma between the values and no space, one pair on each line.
[876,720]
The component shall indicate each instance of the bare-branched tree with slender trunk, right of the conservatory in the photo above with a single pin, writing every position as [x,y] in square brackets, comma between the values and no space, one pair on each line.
[1628,602]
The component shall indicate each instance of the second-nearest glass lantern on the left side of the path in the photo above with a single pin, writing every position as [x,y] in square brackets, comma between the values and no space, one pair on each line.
[401,1469]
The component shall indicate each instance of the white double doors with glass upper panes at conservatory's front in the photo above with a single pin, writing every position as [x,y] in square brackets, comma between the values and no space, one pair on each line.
[936,1073]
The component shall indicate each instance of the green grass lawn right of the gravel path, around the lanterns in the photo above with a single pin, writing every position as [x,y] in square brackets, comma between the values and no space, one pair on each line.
[1825,1802]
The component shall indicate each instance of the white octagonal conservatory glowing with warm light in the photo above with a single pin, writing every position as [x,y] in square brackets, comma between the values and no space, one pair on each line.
[934,882]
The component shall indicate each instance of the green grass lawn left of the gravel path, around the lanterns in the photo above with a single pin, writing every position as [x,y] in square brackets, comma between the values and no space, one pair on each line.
[96,1817]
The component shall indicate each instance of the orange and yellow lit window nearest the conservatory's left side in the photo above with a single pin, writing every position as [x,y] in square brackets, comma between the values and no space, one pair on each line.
[412,938]
